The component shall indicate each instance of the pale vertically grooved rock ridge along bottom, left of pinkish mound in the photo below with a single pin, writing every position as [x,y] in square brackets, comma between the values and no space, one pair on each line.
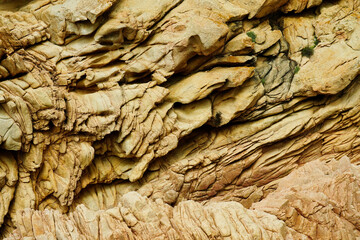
[136,217]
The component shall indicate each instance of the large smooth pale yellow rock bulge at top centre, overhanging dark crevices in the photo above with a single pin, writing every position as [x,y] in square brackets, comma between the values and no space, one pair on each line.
[179,33]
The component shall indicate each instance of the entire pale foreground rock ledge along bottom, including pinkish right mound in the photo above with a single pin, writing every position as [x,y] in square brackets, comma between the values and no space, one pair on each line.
[311,201]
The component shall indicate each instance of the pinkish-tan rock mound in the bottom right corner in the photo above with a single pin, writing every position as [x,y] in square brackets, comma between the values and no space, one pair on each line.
[319,200]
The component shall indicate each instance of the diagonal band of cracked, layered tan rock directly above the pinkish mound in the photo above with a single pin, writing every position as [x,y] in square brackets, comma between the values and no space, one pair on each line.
[251,158]
